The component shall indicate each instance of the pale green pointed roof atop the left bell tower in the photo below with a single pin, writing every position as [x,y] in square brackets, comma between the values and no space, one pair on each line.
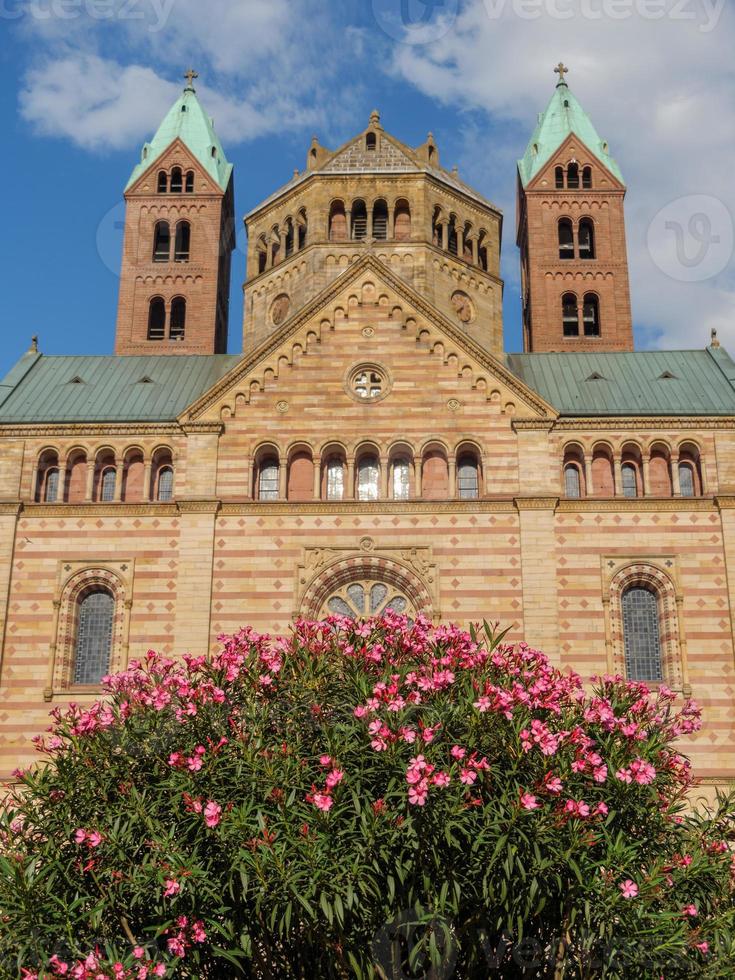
[187,120]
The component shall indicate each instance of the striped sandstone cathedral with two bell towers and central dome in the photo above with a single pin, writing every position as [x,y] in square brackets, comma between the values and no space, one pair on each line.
[374,446]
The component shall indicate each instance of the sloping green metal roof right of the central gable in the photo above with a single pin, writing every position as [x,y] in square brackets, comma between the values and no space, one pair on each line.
[679,382]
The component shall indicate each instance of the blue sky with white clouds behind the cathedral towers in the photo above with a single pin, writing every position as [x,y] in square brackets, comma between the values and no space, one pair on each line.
[86,81]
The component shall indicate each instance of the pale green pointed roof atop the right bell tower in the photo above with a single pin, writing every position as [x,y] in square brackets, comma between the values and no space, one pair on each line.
[563,116]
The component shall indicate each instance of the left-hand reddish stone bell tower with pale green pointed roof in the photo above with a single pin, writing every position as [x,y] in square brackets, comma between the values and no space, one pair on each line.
[178,240]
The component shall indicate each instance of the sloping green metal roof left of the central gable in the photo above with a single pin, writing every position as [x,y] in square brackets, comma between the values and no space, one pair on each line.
[151,388]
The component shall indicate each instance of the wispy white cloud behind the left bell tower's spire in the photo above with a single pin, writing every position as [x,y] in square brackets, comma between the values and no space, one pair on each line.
[261,64]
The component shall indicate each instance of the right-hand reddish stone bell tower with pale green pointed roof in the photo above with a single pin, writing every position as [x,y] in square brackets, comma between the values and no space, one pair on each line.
[571,234]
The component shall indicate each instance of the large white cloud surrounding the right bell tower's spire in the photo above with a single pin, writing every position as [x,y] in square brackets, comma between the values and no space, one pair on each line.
[662,92]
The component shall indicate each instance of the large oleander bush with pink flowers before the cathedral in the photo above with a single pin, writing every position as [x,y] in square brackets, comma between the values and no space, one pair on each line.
[386,799]
